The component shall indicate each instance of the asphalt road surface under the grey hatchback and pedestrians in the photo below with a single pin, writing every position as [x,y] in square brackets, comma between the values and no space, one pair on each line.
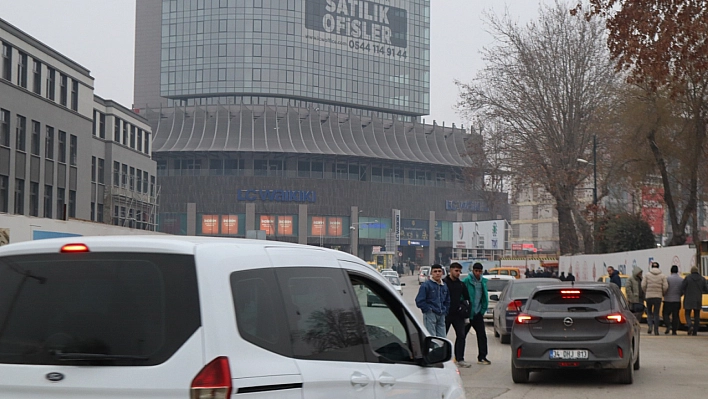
[671,367]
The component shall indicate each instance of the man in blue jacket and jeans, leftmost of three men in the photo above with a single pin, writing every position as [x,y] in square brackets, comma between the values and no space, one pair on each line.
[433,299]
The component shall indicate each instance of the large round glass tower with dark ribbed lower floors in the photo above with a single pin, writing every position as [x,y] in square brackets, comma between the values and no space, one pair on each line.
[302,119]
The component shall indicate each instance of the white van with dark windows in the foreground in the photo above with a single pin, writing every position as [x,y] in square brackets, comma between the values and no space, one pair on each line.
[178,317]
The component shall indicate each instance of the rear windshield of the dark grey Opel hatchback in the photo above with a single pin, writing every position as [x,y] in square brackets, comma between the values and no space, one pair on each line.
[570,301]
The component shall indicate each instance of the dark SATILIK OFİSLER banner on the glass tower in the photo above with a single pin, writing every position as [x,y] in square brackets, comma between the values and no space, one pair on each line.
[366,27]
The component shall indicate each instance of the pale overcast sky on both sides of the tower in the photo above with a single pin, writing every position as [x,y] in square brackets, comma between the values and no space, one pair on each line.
[100,35]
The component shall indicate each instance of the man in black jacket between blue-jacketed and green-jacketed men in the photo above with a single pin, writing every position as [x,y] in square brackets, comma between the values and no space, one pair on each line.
[459,312]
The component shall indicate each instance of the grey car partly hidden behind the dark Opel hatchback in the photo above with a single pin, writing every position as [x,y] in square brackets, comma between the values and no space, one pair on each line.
[510,302]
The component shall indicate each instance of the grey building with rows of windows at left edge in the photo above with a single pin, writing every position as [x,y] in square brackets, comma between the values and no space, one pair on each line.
[54,159]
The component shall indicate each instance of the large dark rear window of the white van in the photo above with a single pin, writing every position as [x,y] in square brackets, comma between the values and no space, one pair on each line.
[112,309]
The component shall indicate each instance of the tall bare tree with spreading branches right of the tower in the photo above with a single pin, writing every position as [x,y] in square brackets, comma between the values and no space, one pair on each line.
[547,84]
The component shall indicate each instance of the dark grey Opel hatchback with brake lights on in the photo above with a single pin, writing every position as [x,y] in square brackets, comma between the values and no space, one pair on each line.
[580,326]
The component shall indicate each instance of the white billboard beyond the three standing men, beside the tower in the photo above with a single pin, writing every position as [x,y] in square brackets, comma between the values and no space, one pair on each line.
[490,234]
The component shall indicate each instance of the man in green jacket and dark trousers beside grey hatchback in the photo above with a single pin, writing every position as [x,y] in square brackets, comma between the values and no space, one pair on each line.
[477,289]
